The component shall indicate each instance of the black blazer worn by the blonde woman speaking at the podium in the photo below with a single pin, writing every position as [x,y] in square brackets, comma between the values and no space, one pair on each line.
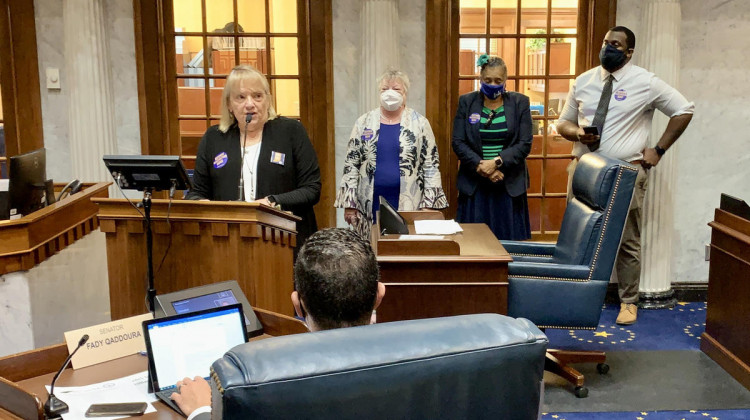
[295,184]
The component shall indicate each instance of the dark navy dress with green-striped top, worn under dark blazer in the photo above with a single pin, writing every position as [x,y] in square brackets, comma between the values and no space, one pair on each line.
[506,216]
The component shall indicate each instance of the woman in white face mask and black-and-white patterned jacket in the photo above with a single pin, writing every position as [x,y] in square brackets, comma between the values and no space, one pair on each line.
[391,153]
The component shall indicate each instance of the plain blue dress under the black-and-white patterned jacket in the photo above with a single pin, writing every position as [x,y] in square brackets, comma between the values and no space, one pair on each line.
[387,173]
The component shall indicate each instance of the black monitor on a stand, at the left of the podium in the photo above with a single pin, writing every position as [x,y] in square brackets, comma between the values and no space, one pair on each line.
[155,173]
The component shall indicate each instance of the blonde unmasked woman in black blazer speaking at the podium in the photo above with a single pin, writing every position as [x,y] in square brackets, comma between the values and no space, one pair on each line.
[255,155]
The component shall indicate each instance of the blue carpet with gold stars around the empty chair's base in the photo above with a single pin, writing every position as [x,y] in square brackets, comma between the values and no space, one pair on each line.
[678,328]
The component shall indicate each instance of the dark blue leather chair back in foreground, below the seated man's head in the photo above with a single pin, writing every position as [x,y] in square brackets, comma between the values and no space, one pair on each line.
[484,366]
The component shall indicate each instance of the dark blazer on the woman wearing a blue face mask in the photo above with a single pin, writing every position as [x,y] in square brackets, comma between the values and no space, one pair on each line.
[468,145]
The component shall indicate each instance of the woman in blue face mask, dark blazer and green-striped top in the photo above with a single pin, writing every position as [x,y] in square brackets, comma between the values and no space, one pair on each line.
[492,137]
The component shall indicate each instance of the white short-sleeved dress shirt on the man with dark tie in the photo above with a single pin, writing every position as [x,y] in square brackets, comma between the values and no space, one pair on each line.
[636,92]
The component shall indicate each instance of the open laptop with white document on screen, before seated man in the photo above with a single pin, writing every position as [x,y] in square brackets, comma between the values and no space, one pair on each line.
[186,345]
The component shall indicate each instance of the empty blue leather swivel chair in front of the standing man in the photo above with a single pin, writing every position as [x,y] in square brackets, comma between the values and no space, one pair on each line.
[563,285]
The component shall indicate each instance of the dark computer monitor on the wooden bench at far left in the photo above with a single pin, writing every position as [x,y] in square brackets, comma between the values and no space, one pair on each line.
[27,189]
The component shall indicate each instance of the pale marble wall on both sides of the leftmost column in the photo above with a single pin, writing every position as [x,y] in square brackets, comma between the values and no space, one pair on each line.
[55,103]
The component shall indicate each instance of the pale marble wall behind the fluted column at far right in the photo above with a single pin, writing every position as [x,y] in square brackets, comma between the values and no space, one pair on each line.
[713,155]
